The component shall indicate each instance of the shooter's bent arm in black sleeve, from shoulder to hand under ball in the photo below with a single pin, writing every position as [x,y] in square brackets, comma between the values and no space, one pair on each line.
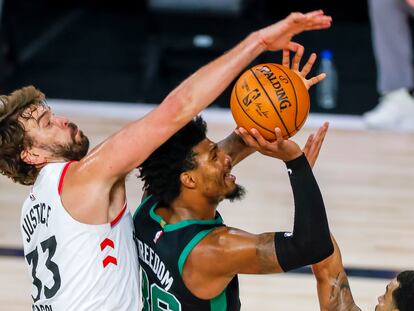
[242,252]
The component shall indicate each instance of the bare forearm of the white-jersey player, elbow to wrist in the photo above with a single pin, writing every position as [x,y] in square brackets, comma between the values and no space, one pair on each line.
[200,89]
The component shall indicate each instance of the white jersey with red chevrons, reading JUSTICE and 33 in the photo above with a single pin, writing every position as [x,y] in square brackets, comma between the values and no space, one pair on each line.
[76,266]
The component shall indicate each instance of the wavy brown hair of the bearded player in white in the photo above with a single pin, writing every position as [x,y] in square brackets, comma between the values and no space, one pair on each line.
[13,139]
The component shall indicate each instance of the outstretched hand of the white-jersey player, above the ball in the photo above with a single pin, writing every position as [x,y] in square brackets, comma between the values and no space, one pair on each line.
[278,35]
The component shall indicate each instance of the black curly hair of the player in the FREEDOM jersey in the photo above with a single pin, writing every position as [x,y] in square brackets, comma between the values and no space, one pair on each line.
[161,171]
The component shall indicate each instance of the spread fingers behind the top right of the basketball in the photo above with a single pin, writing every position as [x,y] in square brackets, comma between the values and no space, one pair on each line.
[302,73]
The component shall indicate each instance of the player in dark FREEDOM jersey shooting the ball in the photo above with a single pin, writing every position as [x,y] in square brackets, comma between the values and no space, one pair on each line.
[189,258]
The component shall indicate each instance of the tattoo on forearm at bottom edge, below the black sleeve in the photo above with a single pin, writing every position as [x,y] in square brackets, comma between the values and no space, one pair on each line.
[341,298]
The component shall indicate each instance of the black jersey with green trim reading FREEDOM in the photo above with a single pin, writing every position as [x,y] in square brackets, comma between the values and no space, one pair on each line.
[162,251]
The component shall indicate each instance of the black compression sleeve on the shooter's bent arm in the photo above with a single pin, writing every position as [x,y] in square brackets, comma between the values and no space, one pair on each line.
[310,241]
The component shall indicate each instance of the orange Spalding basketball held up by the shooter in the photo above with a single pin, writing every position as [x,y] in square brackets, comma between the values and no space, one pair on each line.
[267,96]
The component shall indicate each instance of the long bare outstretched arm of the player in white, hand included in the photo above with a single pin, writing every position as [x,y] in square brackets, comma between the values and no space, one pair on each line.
[129,147]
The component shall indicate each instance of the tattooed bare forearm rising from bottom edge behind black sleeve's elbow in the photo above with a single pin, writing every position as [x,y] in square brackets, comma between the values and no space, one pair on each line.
[333,288]
